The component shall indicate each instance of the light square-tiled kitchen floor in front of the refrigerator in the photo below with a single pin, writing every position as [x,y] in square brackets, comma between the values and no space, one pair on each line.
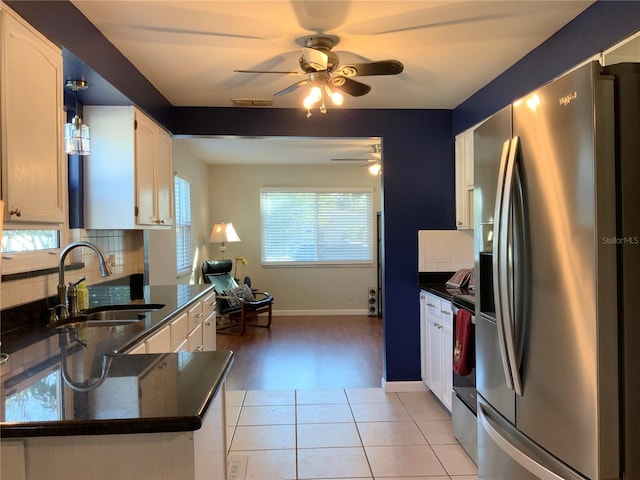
[363,433]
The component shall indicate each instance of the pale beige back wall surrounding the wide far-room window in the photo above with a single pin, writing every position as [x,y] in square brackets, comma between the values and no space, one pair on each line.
[234,196]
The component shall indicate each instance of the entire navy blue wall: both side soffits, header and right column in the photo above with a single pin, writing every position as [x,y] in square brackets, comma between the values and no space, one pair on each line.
[418,173]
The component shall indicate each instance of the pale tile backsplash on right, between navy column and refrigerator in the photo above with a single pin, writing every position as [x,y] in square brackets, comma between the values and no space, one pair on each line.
[444,250]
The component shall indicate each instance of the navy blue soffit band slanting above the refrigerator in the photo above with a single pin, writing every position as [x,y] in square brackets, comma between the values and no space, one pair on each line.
[599,27]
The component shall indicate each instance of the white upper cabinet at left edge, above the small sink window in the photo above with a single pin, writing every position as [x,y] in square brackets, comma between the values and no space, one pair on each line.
[31,117]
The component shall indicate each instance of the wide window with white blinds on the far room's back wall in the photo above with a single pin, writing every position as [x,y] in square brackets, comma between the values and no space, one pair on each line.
[316,226]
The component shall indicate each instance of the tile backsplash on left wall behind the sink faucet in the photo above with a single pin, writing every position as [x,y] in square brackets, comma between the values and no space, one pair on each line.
[124,248]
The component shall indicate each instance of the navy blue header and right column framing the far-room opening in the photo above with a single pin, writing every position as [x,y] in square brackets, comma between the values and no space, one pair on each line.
[417,185]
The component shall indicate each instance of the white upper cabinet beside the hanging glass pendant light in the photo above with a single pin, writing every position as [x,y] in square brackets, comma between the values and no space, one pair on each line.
[129,174]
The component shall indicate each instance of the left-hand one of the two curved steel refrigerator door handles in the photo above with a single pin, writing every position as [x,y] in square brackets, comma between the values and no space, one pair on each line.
[499,257]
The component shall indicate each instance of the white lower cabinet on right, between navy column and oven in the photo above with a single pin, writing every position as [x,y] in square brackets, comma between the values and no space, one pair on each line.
[436,343]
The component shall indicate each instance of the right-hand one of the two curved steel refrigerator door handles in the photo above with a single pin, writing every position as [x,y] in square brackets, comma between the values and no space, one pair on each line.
[507,292]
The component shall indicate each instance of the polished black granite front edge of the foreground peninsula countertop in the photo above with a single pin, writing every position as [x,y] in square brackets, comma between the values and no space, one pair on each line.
[127,426]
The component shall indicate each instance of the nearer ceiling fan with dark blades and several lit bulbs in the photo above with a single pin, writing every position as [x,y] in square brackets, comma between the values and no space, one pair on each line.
[326,76]
